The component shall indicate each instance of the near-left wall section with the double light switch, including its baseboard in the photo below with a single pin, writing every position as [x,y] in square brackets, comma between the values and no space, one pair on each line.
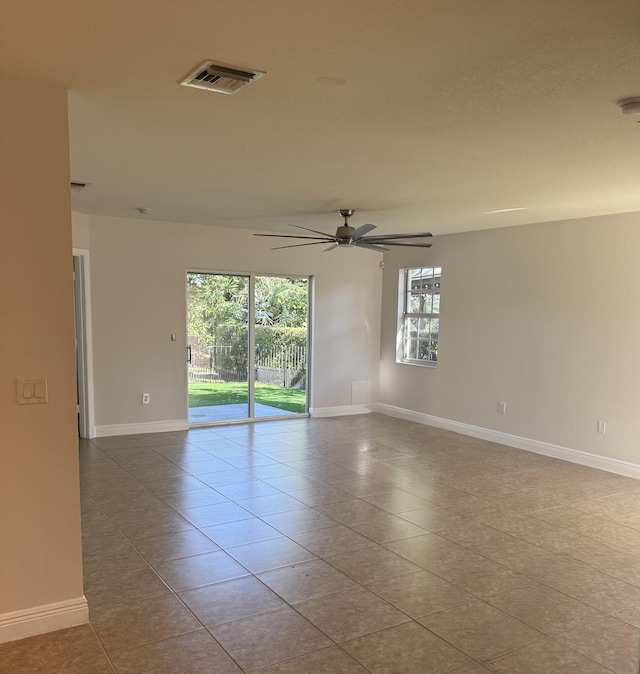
[40,547]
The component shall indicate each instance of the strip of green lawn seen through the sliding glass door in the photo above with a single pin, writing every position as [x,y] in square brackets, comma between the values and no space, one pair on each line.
[205,394]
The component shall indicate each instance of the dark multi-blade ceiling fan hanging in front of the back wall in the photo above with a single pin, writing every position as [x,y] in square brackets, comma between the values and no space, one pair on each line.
[346,235]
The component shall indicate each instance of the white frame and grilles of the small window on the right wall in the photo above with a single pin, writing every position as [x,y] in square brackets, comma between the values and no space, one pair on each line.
[408,346]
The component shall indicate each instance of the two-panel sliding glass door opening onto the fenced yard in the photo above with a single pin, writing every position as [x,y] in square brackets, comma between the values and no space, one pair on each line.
[247,353]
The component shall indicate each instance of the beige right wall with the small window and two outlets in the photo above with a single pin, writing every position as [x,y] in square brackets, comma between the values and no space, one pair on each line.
[544,317]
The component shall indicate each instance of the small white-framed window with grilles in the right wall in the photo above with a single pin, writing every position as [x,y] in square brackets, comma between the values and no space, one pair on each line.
[420,315]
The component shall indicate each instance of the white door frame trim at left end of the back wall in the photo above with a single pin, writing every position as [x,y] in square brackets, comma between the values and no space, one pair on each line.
[84,340]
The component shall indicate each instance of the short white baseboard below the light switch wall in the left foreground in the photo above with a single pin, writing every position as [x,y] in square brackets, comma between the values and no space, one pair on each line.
[40,619]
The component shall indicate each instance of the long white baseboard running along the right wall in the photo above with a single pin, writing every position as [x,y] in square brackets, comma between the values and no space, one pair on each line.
[556,451]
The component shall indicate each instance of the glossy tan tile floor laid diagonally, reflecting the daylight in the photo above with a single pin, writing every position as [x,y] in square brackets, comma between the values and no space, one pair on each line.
[346,546]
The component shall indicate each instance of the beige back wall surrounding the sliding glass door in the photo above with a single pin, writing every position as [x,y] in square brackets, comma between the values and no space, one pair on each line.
[138,272]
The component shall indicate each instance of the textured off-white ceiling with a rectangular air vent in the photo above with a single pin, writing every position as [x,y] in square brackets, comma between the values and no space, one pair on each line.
[420,114]
